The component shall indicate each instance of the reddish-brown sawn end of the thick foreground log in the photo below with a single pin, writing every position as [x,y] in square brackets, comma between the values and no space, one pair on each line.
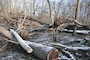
[53,55]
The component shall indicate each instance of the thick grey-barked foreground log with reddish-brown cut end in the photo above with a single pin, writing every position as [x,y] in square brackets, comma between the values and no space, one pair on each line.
[43,52]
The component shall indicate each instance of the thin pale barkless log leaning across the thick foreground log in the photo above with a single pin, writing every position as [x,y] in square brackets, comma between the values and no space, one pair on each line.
[21,42]
